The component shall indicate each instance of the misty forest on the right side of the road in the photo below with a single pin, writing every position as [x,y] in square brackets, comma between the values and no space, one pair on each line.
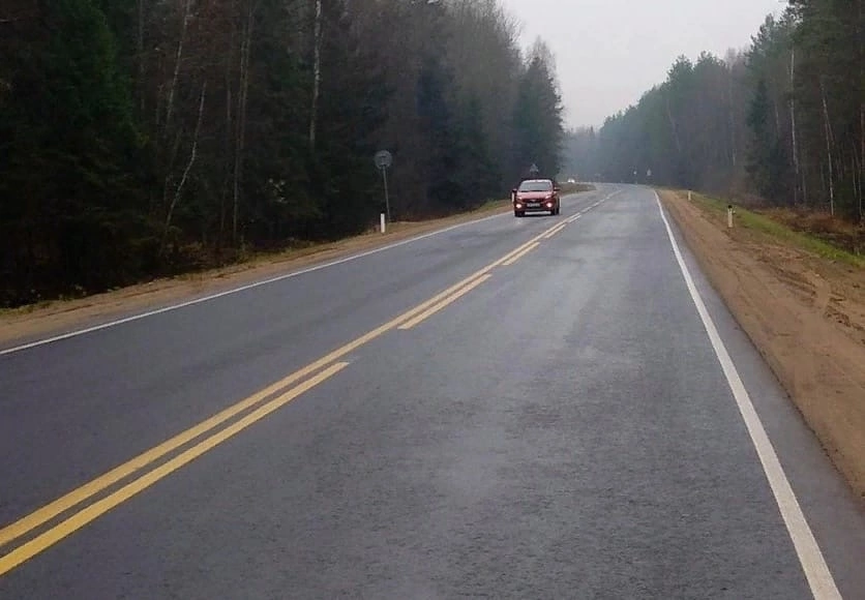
[783,120]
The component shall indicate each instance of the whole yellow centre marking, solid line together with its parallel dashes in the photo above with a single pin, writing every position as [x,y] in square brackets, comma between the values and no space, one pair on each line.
[213,431]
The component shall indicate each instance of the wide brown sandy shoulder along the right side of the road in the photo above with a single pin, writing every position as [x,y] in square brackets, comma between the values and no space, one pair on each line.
[804,313]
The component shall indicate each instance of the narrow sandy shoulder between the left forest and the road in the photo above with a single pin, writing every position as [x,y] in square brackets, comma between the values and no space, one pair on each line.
[55,318]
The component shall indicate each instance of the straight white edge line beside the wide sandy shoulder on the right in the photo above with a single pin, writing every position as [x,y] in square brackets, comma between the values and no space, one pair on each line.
[813,563]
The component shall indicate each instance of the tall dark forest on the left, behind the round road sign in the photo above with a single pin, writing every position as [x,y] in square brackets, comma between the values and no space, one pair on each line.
[149,137]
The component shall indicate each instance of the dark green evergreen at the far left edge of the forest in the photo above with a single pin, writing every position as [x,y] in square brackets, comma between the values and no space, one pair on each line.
[67,147]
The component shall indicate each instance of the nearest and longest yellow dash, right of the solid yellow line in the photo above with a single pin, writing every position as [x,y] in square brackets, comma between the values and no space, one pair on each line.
[97,509]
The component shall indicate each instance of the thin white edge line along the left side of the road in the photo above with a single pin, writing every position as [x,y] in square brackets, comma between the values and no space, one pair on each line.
[165,309]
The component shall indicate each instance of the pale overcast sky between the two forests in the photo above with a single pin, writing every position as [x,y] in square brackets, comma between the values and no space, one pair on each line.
[608,52]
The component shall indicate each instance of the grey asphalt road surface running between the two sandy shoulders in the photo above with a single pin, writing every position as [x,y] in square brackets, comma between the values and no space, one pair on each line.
[499,410]
